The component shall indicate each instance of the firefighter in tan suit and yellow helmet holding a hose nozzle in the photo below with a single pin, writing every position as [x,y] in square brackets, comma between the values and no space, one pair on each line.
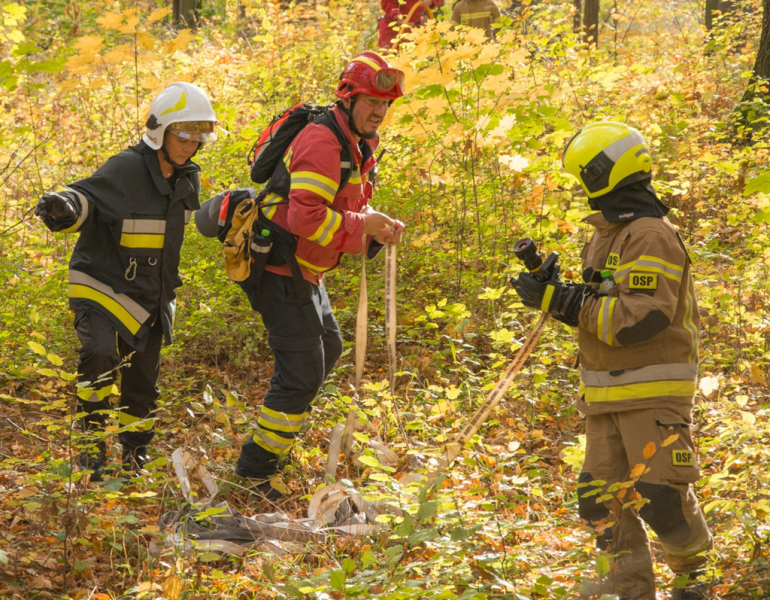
[638,325]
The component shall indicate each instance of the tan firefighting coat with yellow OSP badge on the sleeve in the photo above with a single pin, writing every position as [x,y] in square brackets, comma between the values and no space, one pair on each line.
[639,343]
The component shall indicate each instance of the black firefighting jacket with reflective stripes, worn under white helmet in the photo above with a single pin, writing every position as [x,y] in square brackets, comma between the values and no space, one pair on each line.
[126,261]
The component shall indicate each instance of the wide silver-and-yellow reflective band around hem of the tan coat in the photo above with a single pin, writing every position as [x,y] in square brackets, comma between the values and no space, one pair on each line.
[678,379]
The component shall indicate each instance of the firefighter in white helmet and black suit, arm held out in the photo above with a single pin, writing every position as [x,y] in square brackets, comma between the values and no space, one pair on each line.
[131,216]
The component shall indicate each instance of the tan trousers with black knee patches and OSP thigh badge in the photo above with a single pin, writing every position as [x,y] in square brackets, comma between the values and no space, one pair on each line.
[615,443]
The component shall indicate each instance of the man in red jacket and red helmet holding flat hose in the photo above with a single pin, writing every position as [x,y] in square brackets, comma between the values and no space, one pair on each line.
[327,222]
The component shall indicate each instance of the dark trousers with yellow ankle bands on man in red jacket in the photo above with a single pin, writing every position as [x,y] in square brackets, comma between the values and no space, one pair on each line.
[306,344]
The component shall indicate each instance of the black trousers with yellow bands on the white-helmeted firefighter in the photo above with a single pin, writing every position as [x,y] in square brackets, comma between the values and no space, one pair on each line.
[103,353]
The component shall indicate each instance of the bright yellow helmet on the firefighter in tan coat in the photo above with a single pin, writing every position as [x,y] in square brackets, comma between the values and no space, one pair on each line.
[605,156]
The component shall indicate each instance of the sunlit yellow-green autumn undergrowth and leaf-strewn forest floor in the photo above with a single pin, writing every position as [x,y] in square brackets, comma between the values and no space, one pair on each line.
[472,166]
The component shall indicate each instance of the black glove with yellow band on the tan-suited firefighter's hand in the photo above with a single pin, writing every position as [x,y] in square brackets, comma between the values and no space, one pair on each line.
[561,301]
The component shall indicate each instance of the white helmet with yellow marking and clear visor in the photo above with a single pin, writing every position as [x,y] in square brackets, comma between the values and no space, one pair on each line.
[184,109]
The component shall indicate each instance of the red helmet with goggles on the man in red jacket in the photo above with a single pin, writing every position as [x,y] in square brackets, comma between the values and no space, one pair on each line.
[369,73]
